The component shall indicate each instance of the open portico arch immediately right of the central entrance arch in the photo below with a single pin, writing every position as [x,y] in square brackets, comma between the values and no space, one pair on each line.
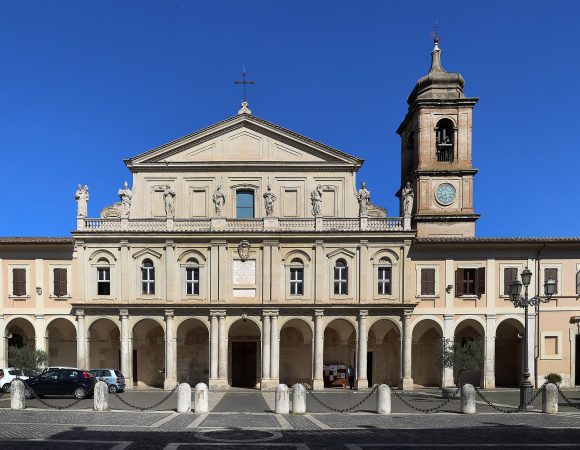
[295,352]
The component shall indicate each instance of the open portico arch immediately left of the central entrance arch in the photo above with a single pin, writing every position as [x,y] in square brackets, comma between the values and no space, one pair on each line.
[192,352]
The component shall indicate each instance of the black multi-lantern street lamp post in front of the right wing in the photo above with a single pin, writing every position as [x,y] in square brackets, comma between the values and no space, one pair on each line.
[523,302]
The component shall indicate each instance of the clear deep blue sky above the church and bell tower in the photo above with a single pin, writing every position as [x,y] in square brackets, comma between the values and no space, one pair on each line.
[84,85]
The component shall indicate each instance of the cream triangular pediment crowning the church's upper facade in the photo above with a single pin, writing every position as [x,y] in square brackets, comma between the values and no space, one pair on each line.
[242,139]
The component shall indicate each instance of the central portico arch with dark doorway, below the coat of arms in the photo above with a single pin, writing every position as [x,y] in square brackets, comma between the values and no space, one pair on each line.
[244,354]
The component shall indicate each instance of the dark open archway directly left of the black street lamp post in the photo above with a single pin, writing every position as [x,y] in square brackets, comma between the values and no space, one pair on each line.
[508,353]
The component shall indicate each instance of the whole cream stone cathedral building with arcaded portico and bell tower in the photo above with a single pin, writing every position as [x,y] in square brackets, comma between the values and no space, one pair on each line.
[248,255]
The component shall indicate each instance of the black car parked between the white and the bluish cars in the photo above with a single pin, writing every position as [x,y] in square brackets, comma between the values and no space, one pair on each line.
[77,382]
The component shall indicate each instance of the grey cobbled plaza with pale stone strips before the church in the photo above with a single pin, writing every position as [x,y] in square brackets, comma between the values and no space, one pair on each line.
[244,419]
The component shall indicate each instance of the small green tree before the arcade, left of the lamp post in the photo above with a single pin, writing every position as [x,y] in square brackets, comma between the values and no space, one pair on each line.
[461,357]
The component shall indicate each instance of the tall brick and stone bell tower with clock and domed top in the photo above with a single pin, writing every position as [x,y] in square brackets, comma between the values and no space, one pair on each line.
[436,153]
